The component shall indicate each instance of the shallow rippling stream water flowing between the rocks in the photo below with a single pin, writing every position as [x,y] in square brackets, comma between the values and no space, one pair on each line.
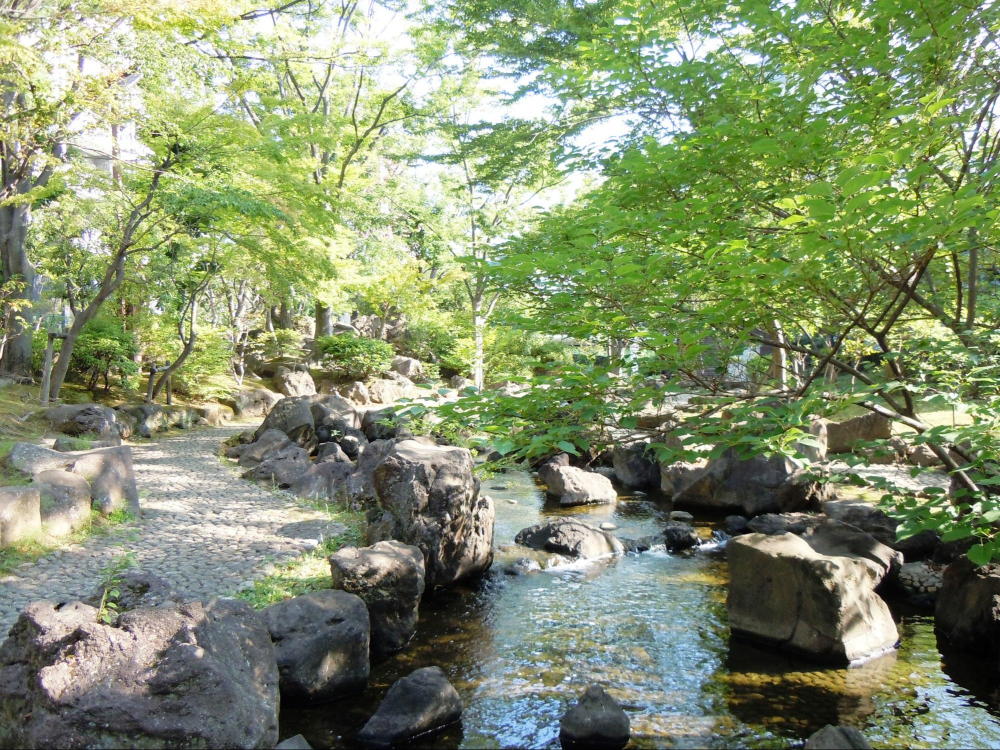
[652,629]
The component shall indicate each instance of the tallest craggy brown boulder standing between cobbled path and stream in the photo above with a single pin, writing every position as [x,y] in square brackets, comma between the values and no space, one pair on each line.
[427,496]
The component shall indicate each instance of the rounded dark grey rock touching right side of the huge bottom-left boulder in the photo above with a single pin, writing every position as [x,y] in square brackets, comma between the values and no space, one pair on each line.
[321,644]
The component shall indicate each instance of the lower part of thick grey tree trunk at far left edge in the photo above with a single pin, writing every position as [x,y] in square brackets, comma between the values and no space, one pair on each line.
[15,266]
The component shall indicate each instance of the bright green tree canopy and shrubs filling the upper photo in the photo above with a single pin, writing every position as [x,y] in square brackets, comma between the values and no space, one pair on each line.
[769,211]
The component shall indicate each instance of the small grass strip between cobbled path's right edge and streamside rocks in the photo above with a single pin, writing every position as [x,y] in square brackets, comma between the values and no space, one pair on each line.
[311,571]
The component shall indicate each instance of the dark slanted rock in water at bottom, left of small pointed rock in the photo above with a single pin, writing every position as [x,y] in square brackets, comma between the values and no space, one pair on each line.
[422,702]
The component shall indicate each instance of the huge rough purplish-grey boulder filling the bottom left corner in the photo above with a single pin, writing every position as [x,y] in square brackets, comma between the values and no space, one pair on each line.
[175,676]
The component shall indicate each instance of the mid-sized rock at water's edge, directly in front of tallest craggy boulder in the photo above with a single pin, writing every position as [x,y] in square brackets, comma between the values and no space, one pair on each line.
[389,578]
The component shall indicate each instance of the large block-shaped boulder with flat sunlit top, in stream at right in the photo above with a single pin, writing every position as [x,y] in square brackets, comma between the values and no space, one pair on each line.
[812,594]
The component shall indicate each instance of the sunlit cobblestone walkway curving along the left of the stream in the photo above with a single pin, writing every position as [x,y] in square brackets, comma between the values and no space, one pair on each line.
[202,528]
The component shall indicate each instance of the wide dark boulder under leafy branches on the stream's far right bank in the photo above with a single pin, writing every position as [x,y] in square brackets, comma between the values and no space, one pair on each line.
[751,486]
